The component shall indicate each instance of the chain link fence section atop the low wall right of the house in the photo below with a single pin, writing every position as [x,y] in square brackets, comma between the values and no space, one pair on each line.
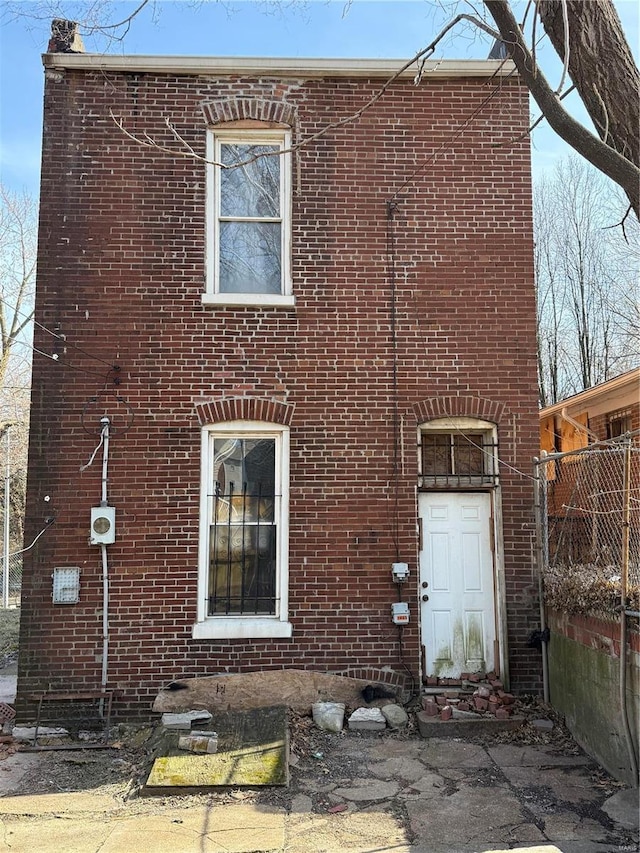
[589,524]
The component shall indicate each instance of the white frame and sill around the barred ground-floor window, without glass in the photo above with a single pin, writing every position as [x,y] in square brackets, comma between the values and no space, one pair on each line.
[245,627]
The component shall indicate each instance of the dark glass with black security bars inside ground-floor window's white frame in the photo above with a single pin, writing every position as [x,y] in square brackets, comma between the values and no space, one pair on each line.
[243,530]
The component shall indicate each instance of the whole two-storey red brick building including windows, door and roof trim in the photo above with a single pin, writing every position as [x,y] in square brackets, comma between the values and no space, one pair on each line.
[291,367]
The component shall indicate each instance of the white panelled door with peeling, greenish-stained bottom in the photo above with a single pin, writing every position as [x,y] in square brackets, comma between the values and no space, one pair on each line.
[456,583]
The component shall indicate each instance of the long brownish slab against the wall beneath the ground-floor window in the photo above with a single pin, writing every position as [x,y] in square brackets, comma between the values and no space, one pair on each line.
[297,689]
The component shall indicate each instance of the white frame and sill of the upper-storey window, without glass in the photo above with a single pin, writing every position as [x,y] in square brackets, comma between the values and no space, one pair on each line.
[212,296]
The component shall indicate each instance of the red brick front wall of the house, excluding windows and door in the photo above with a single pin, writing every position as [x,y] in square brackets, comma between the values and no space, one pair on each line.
[120,275]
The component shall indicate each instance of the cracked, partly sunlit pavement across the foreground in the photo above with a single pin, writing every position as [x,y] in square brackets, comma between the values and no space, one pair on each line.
[365,793]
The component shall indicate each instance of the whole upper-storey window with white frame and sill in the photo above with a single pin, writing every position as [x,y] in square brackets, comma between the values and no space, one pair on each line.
[248,217]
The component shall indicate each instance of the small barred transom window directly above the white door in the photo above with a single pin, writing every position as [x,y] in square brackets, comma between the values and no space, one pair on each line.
[458,459]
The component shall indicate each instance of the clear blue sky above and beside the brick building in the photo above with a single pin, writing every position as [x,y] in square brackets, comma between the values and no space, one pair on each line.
[296,28]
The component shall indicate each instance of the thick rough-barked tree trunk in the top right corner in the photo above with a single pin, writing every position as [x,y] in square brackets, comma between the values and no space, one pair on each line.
[601,67]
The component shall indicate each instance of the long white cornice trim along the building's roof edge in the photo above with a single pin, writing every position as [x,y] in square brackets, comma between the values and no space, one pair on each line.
[280,67]
